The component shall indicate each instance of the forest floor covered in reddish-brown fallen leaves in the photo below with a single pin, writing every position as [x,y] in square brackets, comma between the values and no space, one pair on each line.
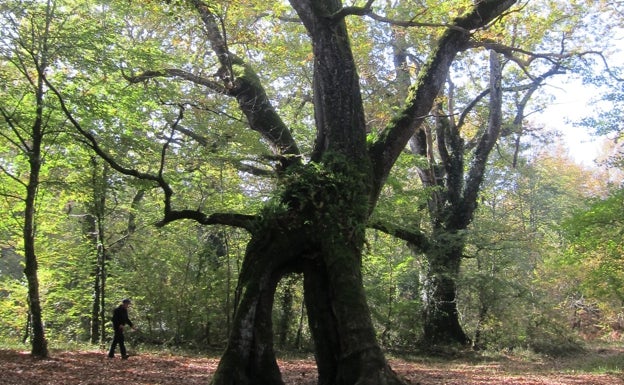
[603,366]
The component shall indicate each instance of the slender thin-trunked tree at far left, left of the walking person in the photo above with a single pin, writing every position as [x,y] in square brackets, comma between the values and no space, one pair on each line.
[29,129]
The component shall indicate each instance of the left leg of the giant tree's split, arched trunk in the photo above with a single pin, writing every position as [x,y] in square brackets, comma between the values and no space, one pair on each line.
[249,357]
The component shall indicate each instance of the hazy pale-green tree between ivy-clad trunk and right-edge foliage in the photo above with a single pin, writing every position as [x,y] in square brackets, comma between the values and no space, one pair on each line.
[516,229]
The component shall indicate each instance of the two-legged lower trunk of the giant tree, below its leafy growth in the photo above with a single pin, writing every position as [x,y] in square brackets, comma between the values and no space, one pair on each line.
[329,256]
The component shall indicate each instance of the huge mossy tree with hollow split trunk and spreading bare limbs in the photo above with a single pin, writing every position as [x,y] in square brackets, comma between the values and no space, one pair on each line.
[316,219]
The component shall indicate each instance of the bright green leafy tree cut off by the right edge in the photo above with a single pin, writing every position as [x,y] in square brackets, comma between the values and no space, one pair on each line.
[592,267]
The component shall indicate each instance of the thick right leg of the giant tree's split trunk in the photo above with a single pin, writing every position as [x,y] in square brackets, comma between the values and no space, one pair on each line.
[346,348]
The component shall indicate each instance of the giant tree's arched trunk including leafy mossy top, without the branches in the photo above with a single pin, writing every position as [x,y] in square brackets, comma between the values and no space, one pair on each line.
[315,226]
